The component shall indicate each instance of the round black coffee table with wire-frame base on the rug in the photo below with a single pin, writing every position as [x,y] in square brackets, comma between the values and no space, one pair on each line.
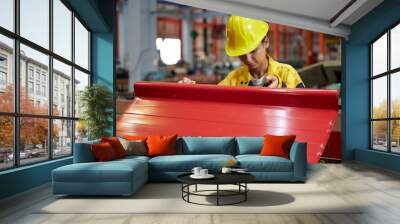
[238,179]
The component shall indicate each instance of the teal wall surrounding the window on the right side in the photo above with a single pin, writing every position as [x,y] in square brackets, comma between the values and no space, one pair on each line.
[356,99]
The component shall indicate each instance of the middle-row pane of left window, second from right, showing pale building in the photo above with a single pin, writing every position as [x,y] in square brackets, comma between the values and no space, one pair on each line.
[62,89]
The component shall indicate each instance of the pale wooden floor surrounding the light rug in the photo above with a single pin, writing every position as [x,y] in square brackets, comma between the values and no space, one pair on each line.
[379,190]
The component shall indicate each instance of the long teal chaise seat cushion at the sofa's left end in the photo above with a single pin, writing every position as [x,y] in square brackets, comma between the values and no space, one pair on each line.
[111,171]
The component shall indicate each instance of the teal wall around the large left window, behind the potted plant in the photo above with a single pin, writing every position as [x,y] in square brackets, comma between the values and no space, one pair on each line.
[99,15]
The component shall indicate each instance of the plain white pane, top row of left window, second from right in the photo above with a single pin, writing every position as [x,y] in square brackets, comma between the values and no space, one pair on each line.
[62,29]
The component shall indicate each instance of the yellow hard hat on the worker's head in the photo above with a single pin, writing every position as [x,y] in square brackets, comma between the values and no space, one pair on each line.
[244,35]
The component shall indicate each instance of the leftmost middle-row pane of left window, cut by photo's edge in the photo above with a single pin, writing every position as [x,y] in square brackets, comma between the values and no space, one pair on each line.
[6,74]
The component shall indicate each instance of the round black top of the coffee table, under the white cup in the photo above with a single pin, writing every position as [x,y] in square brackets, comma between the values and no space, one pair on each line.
[220,178]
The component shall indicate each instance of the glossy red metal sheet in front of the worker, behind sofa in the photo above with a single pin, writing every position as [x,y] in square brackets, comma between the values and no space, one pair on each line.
[209,110]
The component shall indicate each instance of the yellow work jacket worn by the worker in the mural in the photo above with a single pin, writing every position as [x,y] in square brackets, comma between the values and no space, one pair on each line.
[286,74]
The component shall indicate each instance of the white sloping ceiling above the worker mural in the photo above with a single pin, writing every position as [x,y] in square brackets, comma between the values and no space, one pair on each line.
[315,15]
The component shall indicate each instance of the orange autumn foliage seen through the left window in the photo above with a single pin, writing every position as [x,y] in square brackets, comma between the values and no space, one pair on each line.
[33,130]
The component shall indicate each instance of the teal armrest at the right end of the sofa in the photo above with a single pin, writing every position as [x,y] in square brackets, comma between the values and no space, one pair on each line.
[298,155]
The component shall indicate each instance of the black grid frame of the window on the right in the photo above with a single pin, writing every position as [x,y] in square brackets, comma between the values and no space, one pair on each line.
[388,74]
